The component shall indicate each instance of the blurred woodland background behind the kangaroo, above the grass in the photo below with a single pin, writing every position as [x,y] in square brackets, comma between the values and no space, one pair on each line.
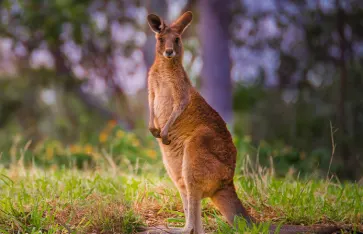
[286,75]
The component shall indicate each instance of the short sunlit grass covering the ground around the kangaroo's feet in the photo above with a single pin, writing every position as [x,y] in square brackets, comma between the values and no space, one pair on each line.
[105,201]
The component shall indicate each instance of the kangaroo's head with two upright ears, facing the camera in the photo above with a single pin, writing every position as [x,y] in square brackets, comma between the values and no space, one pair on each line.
[168,41]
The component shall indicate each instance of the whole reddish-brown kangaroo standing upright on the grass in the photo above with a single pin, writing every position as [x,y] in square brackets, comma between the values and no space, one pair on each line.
[197,149]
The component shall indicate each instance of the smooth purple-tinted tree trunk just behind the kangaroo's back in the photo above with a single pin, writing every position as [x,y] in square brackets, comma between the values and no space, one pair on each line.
[216,84]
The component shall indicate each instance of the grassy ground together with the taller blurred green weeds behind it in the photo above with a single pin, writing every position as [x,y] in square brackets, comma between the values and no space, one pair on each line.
[119,185]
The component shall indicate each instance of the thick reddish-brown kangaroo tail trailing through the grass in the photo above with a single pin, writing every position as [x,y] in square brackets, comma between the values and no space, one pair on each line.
[228,203]
